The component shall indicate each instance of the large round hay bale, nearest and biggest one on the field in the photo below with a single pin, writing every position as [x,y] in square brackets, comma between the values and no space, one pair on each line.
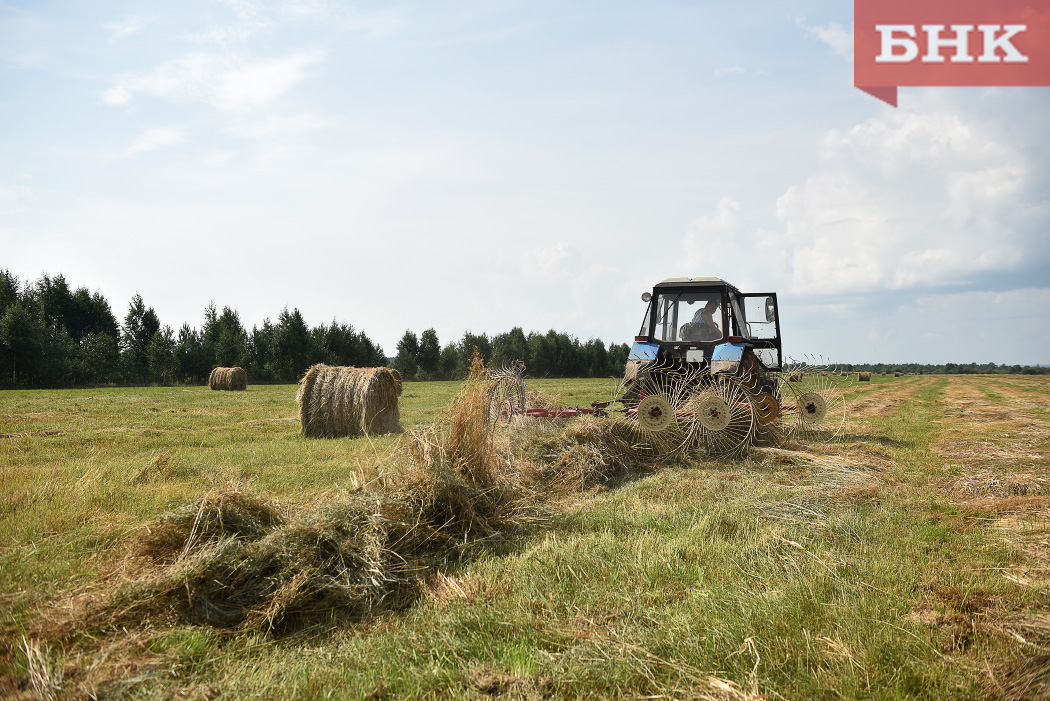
[339,401]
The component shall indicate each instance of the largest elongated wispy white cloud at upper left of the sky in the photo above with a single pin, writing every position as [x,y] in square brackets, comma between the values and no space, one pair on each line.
[227,82]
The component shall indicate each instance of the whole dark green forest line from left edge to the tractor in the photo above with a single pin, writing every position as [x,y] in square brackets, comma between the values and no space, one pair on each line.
[52,336]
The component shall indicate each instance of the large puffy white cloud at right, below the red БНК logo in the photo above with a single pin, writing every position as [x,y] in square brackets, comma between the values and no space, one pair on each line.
[908,201]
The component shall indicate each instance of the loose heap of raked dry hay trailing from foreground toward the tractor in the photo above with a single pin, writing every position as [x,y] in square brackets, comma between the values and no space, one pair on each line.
[236,561]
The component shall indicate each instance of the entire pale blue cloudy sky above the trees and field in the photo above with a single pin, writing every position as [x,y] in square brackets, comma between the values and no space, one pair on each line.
[481,165]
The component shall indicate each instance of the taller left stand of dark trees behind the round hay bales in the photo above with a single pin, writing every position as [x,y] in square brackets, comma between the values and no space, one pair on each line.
[52,336]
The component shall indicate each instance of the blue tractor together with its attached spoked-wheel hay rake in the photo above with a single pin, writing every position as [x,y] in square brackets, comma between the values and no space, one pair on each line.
[700,381]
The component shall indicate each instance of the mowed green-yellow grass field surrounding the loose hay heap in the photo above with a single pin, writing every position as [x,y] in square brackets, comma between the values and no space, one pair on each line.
[909,560]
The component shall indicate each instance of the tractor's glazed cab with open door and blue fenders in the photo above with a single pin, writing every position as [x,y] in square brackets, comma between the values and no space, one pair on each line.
[706,323]
